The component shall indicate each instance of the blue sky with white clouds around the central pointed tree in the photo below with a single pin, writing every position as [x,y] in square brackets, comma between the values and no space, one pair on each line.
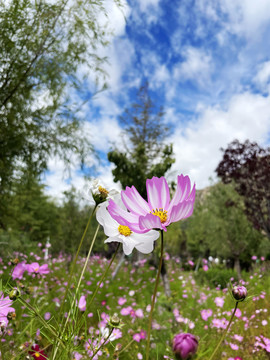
[207,63]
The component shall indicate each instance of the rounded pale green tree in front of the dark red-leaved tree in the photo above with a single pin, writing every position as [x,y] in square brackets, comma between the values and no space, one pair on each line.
[220,227]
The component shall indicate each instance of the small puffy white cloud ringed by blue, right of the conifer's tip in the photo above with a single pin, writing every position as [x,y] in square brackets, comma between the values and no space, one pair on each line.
[196,66]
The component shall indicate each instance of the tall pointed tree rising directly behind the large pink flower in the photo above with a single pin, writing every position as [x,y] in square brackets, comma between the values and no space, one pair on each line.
[146,154]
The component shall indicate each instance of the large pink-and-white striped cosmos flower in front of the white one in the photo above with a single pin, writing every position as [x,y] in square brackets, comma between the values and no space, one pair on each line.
[160,211]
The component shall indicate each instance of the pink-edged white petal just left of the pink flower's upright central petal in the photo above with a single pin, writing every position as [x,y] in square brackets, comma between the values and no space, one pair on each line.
[134,202]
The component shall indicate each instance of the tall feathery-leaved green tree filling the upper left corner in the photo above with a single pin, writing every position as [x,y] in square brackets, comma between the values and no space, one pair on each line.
[43,45]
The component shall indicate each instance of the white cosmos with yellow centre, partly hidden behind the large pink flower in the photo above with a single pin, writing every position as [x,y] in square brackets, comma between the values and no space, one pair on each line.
[120,233]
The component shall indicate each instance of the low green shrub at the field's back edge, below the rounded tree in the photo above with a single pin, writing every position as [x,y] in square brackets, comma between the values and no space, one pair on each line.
[216,276]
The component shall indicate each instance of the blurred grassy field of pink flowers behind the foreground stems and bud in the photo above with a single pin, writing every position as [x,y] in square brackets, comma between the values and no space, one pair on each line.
[193,308]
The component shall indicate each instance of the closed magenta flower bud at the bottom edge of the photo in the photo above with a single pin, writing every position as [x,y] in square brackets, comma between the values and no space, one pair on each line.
[184,345]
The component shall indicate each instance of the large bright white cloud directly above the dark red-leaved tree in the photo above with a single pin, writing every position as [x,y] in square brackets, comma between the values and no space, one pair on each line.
[197,147]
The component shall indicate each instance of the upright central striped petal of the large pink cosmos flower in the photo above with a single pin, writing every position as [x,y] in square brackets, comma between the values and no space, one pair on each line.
[158,193]
